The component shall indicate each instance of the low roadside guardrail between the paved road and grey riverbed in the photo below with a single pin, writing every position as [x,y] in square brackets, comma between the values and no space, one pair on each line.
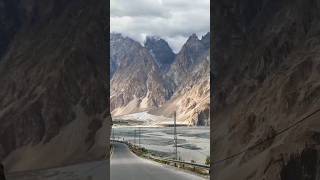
[168,161]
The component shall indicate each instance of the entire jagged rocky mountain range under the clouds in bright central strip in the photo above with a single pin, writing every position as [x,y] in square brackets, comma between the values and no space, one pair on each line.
[150,78]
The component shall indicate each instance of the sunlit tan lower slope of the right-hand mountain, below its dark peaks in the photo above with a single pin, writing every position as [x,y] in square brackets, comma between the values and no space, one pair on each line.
[191,99]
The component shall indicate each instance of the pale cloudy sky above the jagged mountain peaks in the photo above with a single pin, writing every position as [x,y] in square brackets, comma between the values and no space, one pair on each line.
[172,20]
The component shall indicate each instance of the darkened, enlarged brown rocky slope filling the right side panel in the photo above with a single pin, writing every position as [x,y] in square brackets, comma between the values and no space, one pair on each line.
[266,78]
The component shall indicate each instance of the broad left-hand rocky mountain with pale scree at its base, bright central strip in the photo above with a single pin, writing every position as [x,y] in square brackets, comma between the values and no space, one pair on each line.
[137,83]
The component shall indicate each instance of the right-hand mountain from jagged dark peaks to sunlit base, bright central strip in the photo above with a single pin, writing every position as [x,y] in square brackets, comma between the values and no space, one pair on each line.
[191,74]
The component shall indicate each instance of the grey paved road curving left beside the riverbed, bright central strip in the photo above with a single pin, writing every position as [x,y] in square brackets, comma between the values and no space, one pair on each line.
[127,166]
